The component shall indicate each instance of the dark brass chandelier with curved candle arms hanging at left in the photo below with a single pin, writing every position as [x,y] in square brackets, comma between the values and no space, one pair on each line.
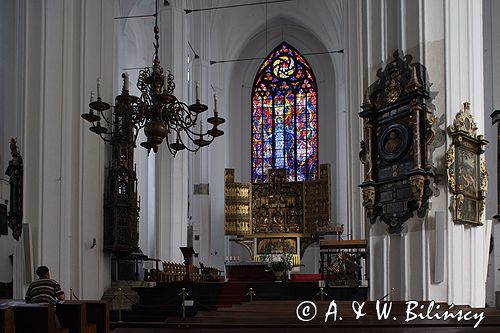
[157,110]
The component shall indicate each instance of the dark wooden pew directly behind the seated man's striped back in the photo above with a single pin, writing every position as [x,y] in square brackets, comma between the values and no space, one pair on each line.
[36,318]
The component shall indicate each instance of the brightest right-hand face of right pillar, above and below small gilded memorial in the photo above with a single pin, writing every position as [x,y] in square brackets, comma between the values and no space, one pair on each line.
[464,82]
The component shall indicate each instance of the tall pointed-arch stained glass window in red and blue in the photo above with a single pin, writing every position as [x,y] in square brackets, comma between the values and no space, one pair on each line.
[284,117]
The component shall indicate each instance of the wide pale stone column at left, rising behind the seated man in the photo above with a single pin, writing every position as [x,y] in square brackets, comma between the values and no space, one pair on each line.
[66,47]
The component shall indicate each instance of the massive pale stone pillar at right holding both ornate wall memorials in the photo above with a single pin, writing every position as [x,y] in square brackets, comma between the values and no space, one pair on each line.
[441,35]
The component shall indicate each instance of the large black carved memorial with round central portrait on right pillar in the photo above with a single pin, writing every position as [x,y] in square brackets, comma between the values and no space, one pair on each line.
[395,150]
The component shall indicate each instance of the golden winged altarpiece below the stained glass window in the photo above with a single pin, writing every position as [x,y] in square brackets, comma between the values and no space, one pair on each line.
[277,216]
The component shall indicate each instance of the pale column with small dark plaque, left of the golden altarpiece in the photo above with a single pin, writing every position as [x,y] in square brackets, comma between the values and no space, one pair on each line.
[209,162]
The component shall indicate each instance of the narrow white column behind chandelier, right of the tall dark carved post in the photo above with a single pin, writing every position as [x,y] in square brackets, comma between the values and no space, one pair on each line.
[171,173]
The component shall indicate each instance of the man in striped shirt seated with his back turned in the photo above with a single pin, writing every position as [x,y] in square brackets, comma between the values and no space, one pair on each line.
[44,290]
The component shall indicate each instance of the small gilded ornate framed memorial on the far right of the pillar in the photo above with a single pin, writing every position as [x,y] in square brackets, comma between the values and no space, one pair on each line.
[467,176]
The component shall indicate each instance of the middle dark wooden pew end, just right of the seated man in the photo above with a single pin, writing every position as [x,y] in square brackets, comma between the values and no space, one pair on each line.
[73,315]
